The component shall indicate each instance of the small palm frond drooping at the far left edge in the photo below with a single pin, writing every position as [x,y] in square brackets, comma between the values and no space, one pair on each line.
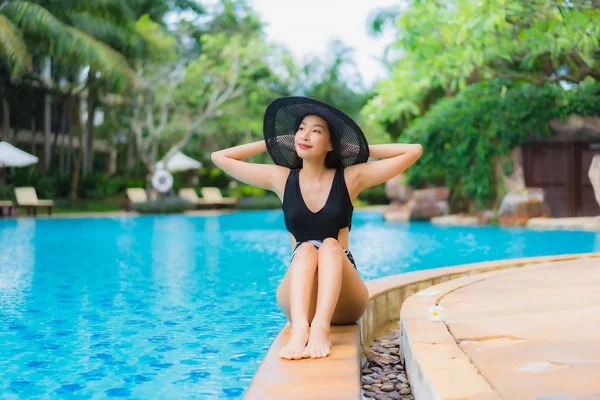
[13,50]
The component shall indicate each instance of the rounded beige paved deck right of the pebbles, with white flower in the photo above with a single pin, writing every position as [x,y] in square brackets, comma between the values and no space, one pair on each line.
[520,333]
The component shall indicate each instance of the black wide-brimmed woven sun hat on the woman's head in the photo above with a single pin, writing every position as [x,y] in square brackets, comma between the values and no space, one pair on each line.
[283,117]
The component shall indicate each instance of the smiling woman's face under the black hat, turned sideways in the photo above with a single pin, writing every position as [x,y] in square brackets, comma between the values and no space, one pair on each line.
[313,139]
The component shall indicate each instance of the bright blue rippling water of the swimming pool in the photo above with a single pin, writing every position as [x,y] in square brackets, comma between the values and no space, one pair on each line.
[184,307]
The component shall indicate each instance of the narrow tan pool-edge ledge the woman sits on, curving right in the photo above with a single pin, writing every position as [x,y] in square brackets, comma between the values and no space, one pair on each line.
[386,296]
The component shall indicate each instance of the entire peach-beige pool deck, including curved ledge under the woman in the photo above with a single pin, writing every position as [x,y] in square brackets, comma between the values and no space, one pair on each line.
[514,329]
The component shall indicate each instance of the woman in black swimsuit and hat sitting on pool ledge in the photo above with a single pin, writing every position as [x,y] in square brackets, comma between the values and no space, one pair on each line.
[321,165]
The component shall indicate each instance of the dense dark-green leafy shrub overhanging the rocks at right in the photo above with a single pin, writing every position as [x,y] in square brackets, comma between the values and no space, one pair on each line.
[463,135]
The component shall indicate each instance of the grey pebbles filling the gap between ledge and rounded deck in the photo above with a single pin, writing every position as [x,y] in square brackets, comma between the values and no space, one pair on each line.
[386,381]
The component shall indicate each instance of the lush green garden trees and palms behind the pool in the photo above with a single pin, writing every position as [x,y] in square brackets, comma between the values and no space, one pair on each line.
[469,80]
